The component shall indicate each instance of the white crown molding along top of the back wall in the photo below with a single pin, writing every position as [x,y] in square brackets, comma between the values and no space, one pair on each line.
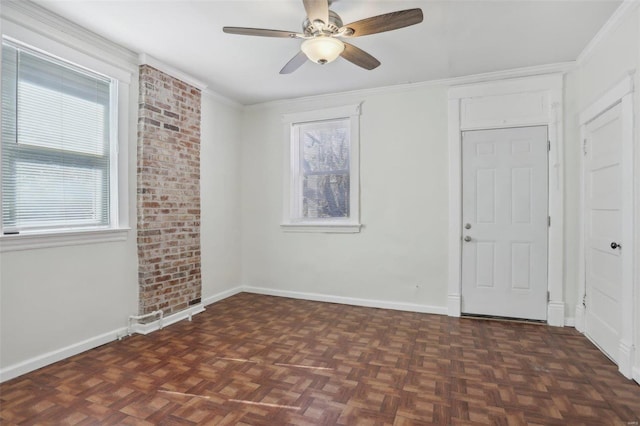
[560,67]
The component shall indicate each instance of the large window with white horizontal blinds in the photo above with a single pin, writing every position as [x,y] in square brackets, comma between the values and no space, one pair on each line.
[56,144]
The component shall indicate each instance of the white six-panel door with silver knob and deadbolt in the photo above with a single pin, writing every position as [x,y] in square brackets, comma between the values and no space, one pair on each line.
[505,222]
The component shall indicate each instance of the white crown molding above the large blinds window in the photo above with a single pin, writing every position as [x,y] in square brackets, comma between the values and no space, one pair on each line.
[44,22]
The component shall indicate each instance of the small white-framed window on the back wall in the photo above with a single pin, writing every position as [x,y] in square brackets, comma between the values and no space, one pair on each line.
[322,177]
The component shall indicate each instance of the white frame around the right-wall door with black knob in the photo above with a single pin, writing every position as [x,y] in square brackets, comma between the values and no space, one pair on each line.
[621,93]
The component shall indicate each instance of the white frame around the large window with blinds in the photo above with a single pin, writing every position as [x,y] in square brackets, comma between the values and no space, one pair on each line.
[118,227]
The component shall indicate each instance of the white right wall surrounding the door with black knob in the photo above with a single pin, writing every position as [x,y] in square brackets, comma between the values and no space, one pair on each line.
[602,68]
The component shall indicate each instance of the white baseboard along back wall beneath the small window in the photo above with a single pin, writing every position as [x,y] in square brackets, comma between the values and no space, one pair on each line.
[370,303]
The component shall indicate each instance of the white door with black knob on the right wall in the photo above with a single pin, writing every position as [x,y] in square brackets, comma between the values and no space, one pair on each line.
[604,239]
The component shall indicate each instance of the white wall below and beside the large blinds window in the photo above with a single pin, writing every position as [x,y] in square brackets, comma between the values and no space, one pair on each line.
[54,299]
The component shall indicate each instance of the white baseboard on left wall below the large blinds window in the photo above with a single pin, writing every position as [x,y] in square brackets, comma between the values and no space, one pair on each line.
[43,360]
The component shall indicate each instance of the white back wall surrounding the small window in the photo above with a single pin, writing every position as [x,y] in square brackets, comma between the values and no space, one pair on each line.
[403,243]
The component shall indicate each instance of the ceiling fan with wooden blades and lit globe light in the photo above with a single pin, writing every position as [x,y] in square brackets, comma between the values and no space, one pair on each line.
[323,31]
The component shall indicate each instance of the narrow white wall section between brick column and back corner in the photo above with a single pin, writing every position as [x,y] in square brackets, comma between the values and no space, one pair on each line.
[219,196]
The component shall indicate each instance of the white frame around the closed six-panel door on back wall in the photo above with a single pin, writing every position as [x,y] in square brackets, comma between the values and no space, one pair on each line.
[517,102]
